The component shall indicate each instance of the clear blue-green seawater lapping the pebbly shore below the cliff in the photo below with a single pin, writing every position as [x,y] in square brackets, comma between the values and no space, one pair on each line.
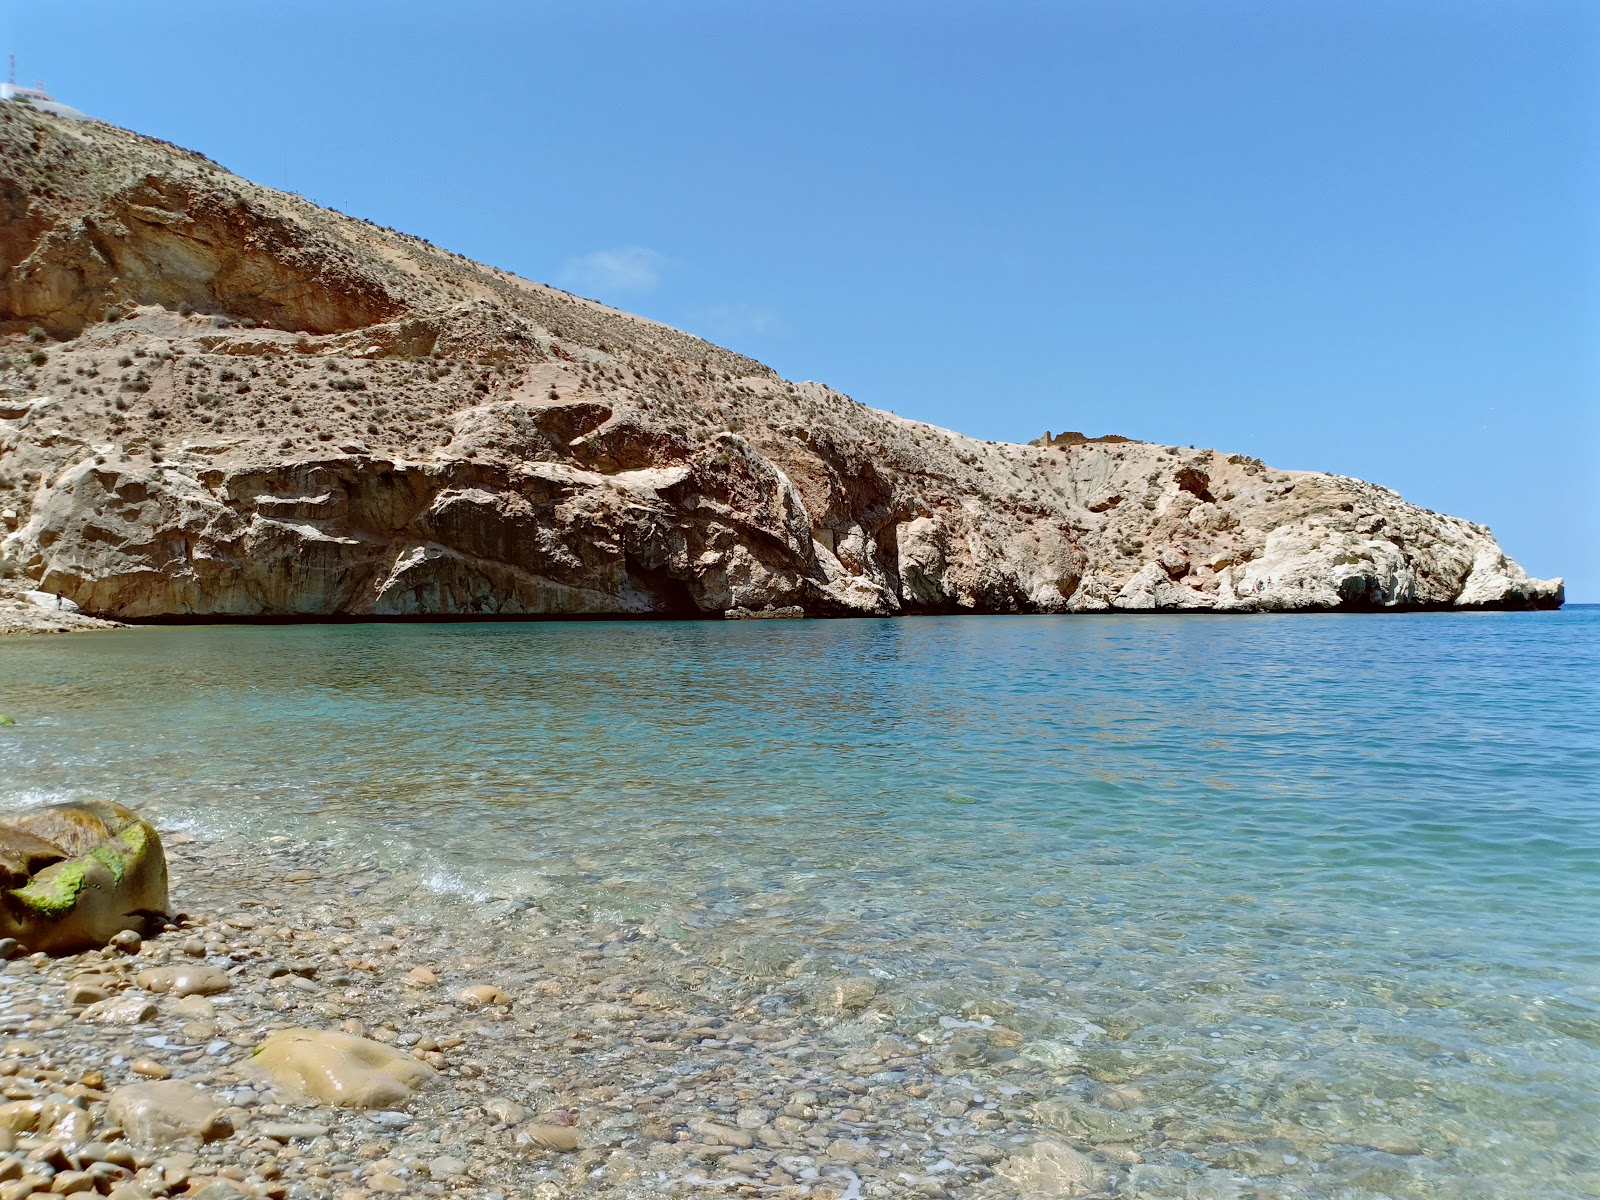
[1319,894]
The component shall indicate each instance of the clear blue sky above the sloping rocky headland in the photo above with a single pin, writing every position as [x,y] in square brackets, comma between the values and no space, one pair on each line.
[1354,236]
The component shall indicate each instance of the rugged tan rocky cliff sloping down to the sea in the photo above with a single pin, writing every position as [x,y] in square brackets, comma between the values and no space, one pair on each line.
[223,401]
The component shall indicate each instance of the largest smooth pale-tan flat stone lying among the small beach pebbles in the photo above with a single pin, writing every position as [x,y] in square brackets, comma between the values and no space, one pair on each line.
[342,1070]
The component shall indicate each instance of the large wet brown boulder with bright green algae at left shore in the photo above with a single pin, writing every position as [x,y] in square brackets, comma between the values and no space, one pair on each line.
[74,876]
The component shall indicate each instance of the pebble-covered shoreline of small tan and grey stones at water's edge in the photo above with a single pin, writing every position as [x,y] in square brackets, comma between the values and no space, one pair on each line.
[618,1065]
